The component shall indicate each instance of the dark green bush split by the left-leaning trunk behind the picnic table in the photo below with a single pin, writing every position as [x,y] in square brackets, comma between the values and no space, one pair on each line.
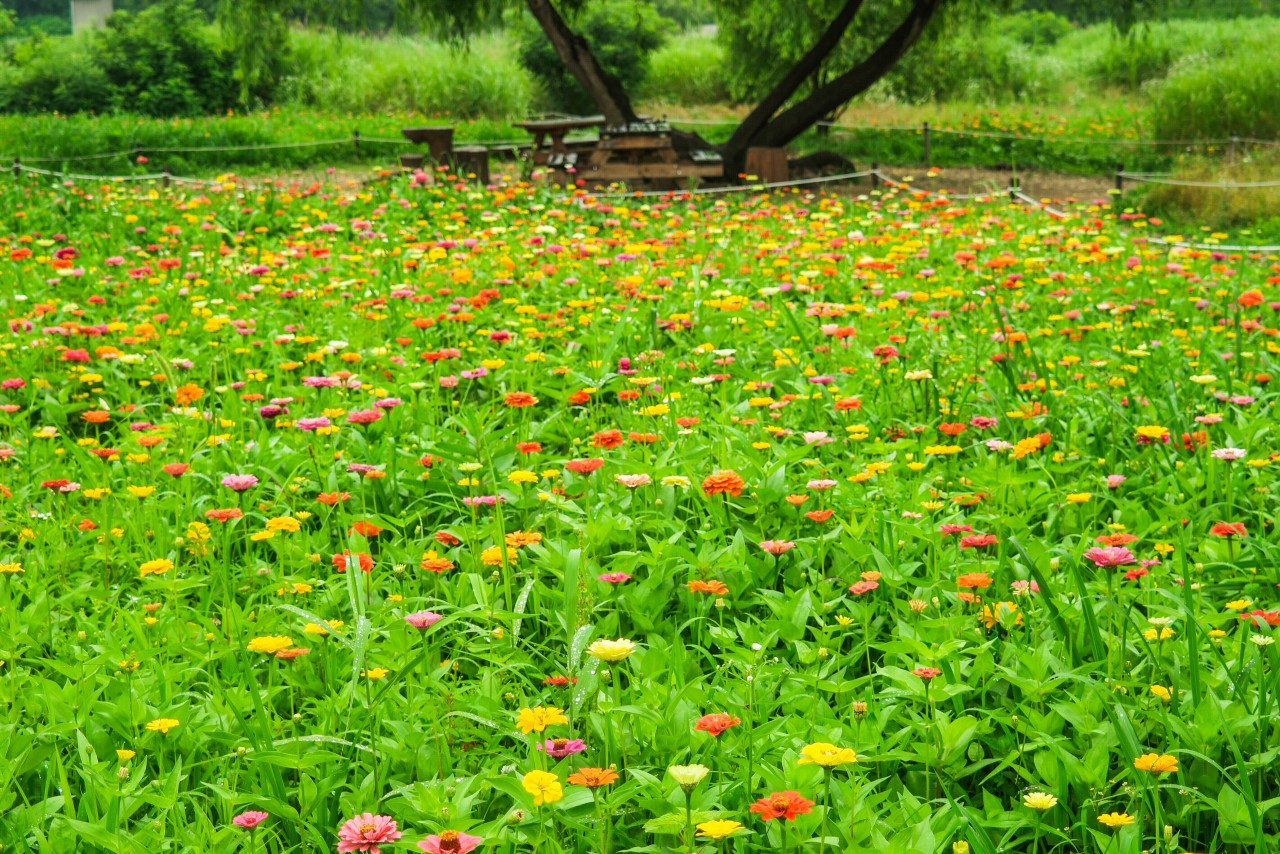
[623,36]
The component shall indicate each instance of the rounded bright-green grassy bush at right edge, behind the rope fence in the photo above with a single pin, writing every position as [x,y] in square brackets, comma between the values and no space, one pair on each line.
[1214,99]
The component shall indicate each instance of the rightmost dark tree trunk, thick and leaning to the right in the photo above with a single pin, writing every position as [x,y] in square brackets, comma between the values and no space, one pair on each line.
[802,117]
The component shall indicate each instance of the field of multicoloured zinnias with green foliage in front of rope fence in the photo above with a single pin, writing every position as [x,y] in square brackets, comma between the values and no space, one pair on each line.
[424,517]
